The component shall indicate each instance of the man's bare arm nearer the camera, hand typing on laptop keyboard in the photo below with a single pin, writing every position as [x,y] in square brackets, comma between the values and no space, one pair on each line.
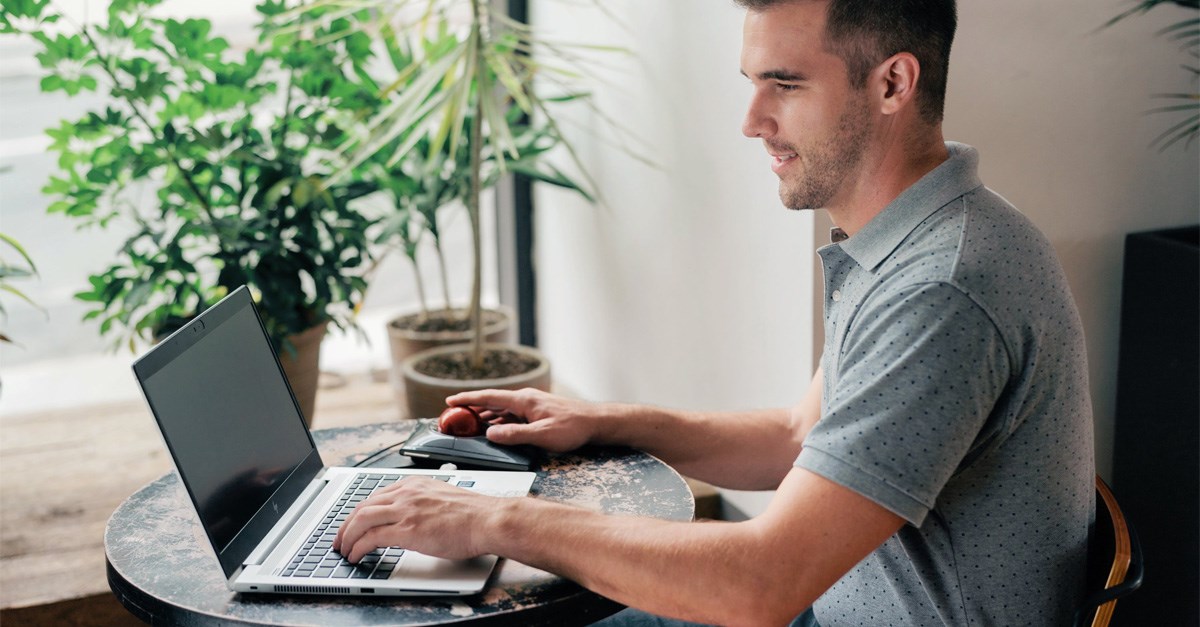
[764,571]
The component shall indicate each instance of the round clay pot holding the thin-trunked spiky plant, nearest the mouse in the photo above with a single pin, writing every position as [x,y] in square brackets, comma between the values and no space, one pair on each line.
[427,395]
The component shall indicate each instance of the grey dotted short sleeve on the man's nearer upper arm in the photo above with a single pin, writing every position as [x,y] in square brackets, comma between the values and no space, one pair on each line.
[917,379]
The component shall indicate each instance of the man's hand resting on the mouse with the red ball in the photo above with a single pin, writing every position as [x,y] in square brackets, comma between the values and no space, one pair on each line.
[532,417]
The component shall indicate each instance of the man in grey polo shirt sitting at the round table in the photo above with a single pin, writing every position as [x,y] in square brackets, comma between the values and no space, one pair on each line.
[939,470]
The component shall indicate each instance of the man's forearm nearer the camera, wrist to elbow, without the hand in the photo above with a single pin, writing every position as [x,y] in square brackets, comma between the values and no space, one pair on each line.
[705,572]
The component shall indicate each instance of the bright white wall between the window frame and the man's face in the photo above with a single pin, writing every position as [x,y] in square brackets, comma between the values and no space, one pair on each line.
[691,285]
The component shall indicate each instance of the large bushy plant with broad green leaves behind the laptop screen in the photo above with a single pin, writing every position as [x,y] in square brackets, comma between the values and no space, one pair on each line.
[220,164]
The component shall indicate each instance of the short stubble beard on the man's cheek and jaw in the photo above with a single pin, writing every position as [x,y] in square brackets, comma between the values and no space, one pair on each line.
[829,164]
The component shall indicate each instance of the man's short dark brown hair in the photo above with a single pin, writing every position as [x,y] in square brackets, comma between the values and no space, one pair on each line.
[866,33]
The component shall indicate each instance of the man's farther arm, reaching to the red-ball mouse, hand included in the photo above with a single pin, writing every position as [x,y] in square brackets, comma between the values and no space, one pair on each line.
[746,451]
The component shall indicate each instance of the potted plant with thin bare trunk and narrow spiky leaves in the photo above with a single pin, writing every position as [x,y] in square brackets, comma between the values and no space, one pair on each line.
[470,106]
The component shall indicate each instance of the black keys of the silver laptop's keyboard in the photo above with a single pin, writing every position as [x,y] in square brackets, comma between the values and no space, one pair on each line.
[317,558]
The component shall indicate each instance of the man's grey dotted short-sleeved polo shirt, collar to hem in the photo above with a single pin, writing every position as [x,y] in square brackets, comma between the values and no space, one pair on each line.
[956,395]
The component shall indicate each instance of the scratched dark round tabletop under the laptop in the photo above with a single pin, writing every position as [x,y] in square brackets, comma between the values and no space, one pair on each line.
[163,570]
